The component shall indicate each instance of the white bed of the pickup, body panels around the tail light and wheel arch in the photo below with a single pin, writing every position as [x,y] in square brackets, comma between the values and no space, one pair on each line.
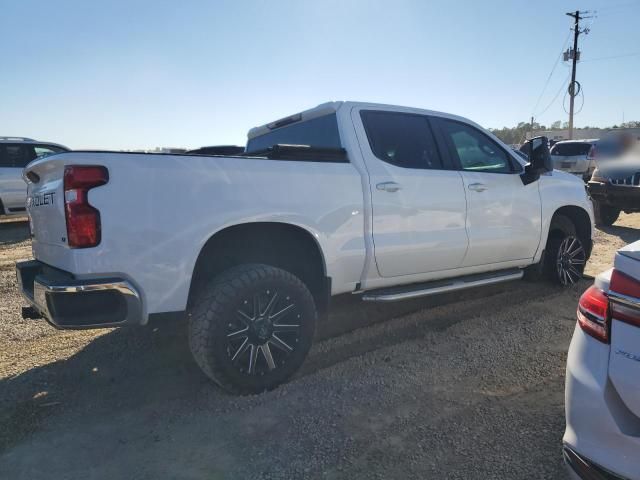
[158,211]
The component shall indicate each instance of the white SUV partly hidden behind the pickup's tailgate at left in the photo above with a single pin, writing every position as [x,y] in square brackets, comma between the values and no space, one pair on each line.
[15,154]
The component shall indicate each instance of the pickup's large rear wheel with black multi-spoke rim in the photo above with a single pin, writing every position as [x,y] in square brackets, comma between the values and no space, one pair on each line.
[251,327]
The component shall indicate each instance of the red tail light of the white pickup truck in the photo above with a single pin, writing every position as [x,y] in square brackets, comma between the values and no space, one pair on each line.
[83,220]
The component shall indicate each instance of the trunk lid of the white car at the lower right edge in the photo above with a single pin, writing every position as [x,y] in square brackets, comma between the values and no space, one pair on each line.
[624,361]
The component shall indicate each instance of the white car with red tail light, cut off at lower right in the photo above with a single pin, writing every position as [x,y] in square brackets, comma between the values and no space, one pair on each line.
[602,396]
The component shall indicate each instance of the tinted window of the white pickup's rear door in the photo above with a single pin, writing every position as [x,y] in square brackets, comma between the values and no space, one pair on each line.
[401,139]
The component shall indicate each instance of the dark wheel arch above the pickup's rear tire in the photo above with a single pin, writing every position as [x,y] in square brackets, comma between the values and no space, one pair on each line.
[284,245]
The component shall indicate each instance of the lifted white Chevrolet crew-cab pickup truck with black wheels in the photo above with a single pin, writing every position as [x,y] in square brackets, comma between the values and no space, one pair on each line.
[382,201]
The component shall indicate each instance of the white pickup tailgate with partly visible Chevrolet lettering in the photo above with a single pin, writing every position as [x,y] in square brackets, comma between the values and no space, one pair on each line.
[45,200]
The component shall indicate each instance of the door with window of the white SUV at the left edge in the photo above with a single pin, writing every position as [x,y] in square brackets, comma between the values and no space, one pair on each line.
[13,189]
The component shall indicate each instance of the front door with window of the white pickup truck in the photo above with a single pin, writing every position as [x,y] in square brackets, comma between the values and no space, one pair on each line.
[503,214]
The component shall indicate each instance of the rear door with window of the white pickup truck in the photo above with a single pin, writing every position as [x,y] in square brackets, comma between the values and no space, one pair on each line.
[418,202]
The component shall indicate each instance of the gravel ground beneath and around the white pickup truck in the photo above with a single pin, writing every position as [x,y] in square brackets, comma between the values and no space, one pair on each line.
[465,389]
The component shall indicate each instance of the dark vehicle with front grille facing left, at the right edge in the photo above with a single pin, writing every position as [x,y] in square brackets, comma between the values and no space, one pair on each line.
[615,187]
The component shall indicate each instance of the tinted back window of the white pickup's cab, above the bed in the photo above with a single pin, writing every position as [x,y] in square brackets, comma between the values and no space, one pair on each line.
[316,132]
